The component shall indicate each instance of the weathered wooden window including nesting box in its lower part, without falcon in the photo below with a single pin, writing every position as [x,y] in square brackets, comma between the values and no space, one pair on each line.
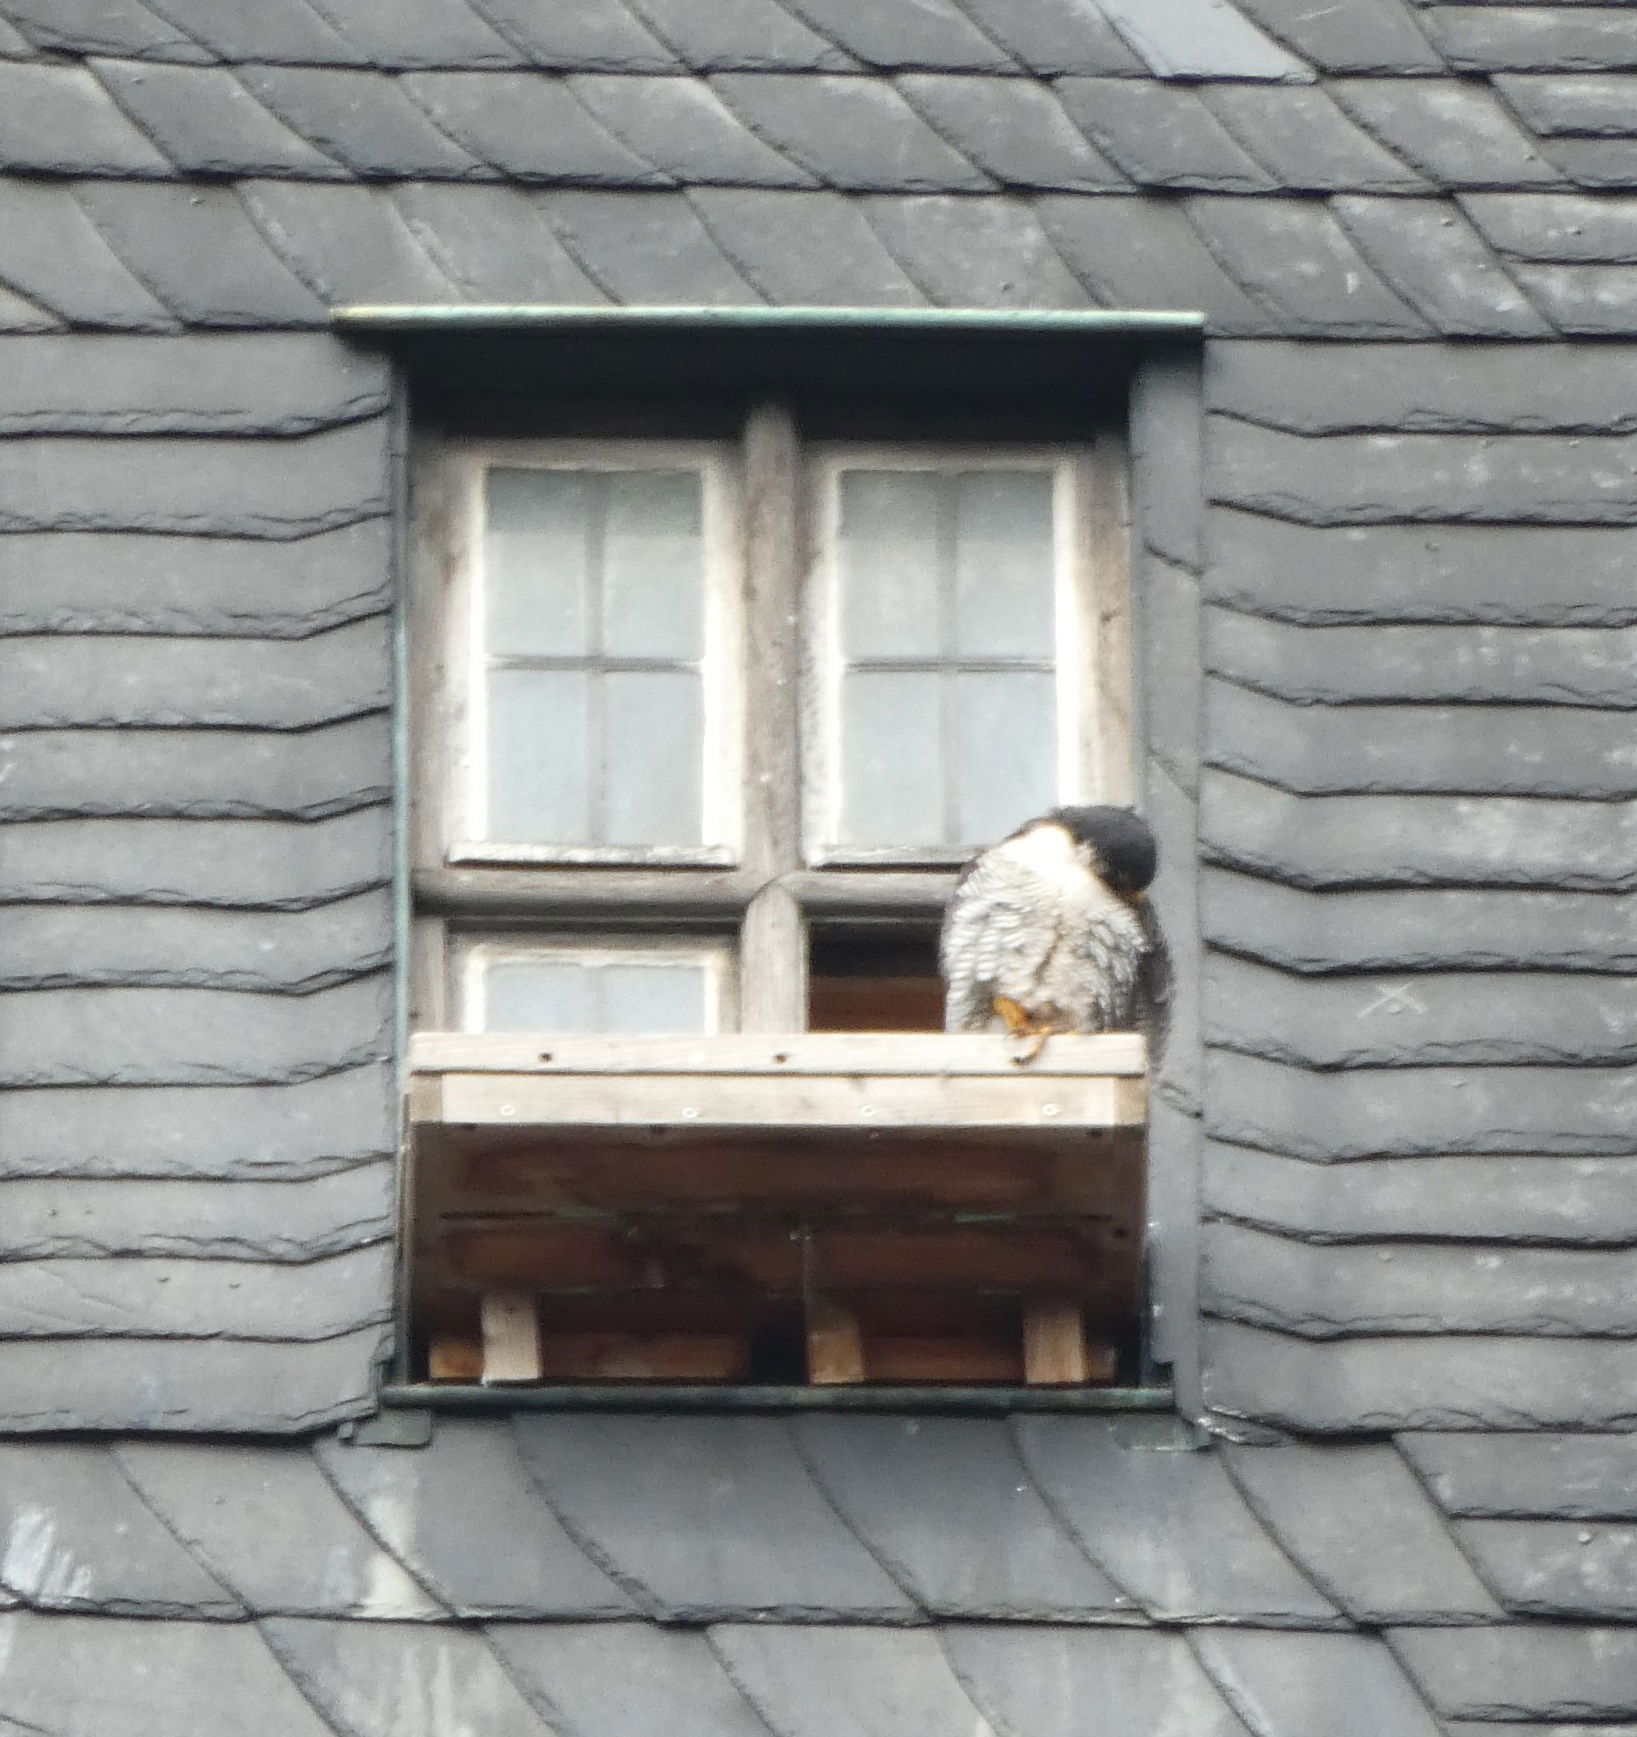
[710,711]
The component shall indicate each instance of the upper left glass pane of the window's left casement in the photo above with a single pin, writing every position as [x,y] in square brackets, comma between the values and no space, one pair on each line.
[536,564]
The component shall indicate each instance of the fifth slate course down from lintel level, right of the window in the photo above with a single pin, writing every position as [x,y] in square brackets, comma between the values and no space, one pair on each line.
[1469,750]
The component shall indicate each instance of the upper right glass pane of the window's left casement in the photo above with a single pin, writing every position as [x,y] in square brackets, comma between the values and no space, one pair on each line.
[654,588]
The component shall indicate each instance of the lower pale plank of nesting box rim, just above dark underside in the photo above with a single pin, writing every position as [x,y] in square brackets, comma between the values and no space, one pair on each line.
[765,1100]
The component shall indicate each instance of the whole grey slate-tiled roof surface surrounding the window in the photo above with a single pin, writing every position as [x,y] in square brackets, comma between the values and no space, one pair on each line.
[1389,633]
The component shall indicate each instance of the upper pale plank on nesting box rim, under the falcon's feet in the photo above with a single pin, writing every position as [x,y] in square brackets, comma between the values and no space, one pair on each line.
[811,1053]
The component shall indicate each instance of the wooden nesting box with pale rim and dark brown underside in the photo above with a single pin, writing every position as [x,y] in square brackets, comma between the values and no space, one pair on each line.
[821,1208]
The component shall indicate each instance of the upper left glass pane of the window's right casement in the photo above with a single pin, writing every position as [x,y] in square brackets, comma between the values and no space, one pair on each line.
[889,564]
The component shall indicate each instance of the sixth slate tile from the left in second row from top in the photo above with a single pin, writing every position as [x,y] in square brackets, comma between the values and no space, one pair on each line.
[858,135]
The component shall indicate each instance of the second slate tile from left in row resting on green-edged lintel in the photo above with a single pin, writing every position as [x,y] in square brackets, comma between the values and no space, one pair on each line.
[493,244]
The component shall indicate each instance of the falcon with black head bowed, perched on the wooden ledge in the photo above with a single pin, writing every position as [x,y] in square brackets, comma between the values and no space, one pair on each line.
[1050,932]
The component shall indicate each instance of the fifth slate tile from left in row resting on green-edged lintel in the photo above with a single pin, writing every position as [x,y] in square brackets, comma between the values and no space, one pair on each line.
[974,253]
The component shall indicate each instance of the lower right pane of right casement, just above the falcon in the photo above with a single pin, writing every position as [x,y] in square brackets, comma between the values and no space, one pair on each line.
[1005,753]
